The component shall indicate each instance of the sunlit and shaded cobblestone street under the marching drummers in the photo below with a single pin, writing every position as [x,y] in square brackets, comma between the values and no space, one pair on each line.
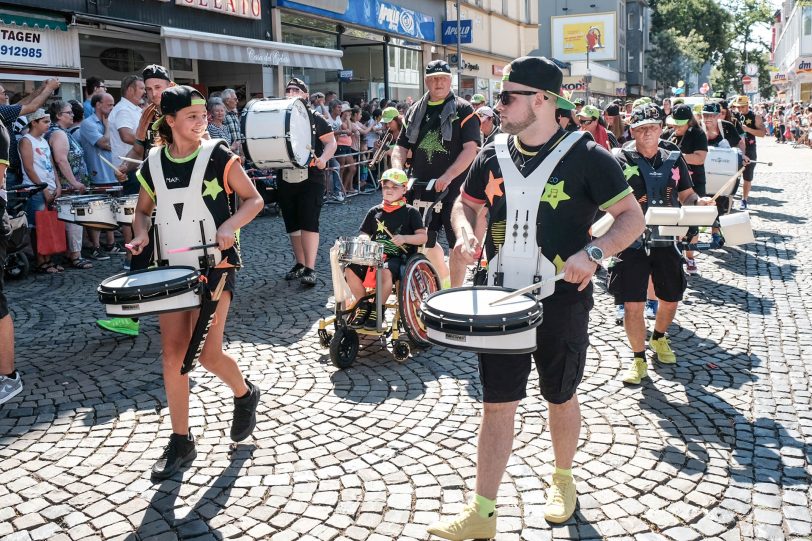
[717,447]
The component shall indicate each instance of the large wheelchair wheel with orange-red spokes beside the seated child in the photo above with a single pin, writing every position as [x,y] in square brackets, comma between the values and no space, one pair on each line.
[419,280]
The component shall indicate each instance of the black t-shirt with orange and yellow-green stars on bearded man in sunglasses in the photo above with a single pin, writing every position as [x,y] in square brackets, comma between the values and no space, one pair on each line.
[586,180]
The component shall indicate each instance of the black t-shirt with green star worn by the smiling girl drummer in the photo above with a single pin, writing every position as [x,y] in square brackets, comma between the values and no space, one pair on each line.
[218,196]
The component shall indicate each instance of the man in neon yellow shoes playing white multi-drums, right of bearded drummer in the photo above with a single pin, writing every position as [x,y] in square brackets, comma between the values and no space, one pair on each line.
[659,178]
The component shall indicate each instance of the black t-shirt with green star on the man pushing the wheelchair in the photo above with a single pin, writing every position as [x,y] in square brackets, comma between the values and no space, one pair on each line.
[431,155]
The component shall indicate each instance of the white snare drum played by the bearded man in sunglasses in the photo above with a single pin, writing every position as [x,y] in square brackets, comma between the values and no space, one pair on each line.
[462,318]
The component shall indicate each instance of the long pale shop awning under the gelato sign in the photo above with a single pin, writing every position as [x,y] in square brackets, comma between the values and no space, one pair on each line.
[206,46]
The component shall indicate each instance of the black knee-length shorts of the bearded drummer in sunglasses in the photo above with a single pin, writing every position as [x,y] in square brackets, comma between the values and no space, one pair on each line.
[563,338]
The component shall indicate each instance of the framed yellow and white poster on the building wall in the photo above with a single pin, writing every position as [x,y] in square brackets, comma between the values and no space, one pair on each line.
[573,35]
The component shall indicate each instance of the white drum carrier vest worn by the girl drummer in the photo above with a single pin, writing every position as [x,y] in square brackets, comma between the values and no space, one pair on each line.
[182,219]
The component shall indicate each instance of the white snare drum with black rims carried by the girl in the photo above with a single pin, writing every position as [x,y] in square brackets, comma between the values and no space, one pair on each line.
[151,291]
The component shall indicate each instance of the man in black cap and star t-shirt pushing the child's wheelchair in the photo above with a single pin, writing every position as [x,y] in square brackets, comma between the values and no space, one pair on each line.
[442,133]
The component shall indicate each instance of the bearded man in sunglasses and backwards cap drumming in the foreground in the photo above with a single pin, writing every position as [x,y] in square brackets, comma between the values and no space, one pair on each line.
[579,178]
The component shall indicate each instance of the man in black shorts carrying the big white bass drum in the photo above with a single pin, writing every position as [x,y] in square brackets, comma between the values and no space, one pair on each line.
[301,201]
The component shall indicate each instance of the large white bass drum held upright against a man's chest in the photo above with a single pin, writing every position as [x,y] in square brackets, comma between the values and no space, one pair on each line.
[277,133]
